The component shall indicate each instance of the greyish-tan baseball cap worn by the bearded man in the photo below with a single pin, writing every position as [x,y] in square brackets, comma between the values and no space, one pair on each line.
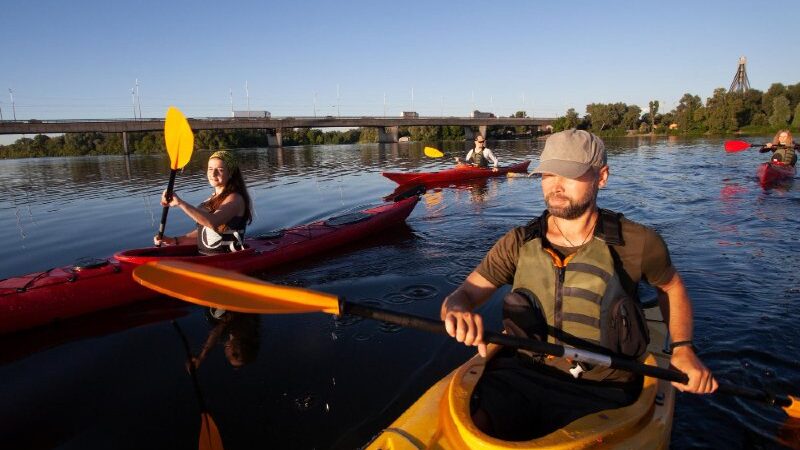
[571,153]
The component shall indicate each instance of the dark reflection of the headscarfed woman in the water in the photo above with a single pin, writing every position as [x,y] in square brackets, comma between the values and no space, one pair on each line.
[241,342]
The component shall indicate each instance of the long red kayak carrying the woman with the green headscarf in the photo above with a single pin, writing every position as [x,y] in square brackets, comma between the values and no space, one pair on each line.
[43,297]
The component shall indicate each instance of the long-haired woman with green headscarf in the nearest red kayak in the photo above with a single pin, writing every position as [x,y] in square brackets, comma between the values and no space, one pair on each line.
[222,218]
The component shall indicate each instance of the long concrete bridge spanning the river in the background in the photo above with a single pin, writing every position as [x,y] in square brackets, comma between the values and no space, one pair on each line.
[388,127]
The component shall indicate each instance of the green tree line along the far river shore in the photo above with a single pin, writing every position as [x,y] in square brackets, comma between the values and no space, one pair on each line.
[752,112]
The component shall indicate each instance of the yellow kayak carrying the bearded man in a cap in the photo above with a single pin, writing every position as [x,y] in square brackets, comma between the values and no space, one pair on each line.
[440,419]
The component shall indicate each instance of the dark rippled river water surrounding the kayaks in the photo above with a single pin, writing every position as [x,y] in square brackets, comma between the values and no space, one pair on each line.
[116,379]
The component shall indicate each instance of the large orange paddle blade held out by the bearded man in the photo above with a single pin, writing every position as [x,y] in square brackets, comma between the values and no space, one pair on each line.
[224,289]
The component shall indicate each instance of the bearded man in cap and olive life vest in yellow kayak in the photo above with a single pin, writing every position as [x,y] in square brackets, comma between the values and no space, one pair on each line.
[574,273]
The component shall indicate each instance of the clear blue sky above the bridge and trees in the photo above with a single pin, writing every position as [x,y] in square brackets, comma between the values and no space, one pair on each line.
[80,59]
